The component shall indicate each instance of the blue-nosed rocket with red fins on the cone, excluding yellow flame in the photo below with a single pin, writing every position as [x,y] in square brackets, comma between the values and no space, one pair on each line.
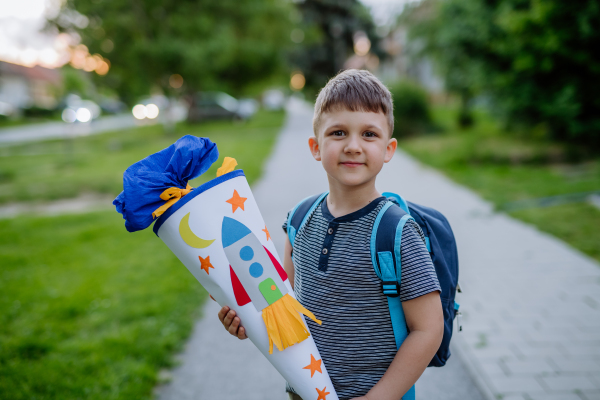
[256,275]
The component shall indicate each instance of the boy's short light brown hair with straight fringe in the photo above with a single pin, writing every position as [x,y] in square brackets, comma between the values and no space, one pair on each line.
[354,90]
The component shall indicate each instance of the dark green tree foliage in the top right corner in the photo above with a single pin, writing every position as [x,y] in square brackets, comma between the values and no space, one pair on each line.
[537,59]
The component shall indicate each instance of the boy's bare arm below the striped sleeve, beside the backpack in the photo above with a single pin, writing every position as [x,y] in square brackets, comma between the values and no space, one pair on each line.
[425,321]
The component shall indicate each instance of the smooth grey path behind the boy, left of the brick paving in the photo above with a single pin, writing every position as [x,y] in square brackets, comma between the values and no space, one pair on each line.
[218,366]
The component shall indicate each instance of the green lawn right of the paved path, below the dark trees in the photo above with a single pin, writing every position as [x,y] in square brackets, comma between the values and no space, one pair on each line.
[504,168]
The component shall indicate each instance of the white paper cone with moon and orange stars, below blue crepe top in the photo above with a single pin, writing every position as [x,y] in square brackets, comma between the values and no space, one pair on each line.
[229,198]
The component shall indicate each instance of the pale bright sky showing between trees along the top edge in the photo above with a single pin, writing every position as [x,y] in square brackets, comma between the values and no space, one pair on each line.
[22,43]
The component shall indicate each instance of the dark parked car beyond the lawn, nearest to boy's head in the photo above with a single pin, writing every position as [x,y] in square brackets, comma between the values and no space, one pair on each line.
[219,105]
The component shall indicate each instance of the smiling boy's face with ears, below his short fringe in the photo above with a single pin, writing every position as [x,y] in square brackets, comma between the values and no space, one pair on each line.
[353,146]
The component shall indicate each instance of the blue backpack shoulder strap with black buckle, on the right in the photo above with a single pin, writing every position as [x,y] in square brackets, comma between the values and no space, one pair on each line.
[386,241]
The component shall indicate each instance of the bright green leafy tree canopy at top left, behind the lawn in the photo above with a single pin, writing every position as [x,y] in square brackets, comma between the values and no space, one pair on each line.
[226,44]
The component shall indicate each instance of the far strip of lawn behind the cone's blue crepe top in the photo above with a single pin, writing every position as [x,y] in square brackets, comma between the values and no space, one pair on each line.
[66,168]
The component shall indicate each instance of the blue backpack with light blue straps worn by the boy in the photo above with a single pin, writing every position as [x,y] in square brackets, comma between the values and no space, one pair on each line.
[385,254]
